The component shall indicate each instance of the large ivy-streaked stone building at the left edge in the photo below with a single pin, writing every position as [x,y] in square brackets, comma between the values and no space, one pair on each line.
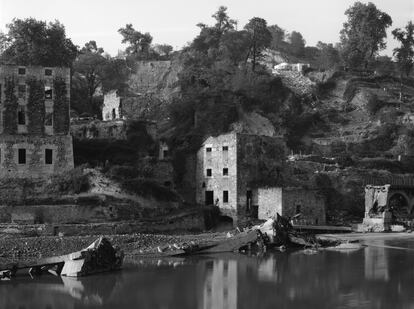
[34,121]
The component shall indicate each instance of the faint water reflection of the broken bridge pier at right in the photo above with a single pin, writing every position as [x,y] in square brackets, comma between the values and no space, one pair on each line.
[376,262]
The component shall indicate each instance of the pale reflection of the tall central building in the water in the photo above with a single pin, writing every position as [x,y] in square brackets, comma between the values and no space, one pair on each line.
[220,285]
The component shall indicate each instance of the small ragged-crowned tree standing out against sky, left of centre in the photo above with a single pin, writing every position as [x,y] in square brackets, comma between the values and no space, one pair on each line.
[139,43]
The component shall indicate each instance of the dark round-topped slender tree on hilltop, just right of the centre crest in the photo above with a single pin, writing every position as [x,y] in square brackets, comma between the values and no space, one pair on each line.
[260,38]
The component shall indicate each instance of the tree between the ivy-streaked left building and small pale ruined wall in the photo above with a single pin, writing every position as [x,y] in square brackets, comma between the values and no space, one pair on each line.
[89,65]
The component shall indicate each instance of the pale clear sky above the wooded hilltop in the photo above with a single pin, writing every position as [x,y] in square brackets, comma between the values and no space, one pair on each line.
[174,21]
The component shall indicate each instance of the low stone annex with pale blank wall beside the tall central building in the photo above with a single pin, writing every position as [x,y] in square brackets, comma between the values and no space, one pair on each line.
[289,202]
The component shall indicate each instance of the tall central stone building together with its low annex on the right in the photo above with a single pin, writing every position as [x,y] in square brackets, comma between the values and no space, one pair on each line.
[242,175]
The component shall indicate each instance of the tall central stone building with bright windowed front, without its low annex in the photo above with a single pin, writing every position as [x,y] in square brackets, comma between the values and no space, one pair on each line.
[231,165]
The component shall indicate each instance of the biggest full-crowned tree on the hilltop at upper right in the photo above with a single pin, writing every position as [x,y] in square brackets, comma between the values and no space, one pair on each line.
[363,34]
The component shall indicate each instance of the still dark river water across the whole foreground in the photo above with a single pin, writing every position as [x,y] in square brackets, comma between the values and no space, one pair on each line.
[373,277]
